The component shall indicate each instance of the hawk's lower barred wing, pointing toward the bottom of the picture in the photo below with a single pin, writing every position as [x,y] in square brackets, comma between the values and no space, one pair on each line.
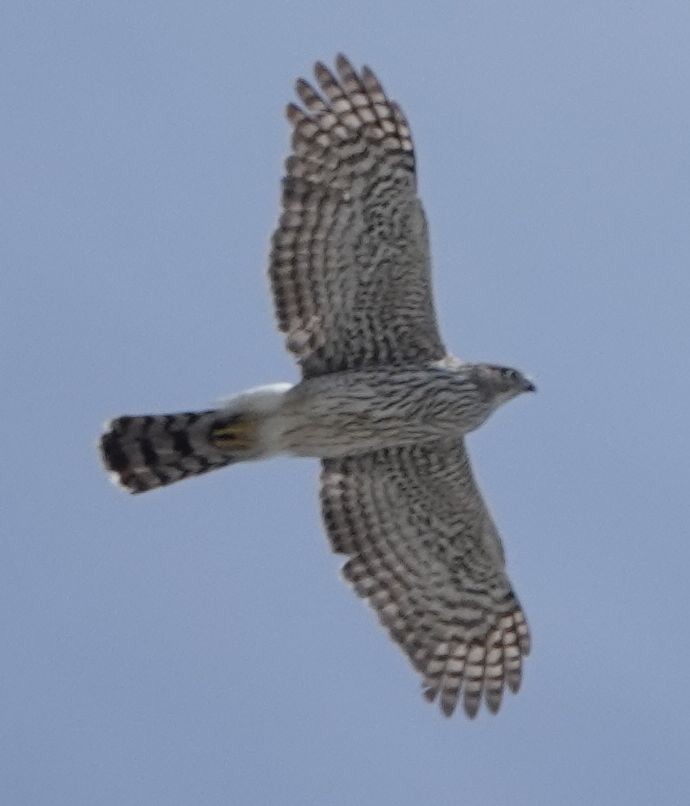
[423,549]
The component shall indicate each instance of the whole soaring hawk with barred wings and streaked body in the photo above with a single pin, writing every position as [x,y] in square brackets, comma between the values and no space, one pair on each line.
[380,403]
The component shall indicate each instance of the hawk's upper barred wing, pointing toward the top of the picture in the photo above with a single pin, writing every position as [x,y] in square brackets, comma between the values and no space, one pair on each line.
[350,258]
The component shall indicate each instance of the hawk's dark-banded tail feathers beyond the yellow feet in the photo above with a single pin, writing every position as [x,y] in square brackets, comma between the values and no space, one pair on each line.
[153,450]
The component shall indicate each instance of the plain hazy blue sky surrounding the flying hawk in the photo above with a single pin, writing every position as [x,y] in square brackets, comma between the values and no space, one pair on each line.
[196,645]
